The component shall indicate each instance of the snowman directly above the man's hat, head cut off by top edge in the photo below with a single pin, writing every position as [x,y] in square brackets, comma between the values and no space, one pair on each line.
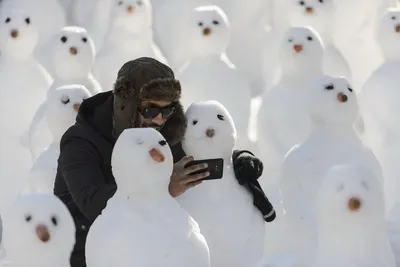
[129,36]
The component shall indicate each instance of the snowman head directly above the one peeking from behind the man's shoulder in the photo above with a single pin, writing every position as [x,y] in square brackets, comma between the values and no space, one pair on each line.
[74,53]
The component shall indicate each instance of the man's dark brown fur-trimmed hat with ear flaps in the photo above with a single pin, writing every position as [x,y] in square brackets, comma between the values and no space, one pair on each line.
[147,78]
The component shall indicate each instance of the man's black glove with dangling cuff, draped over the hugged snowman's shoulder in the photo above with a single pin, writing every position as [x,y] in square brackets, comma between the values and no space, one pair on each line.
[248,169]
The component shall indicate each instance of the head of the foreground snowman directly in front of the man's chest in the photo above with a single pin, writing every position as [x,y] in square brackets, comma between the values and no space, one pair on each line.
[141,162]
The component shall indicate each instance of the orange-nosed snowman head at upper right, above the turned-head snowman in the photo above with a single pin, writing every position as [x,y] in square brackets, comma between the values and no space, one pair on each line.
[302,48]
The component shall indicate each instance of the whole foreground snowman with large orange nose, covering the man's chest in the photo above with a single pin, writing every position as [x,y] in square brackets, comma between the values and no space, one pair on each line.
[142,220]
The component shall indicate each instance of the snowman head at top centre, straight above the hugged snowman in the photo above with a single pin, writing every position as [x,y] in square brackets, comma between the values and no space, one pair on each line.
[208,31]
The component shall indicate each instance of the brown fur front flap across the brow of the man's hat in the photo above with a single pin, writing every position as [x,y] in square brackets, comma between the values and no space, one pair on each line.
[167,89]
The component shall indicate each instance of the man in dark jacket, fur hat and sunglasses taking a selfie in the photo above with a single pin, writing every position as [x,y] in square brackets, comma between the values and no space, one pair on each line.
[146,94]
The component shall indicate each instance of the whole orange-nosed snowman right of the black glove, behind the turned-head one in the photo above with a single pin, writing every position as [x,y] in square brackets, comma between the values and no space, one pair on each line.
[282,119]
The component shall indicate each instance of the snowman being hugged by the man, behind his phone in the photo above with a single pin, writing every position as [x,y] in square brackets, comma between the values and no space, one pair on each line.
[224,209]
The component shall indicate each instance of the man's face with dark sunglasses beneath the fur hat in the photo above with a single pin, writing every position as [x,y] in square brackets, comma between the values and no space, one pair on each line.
[151,106]
